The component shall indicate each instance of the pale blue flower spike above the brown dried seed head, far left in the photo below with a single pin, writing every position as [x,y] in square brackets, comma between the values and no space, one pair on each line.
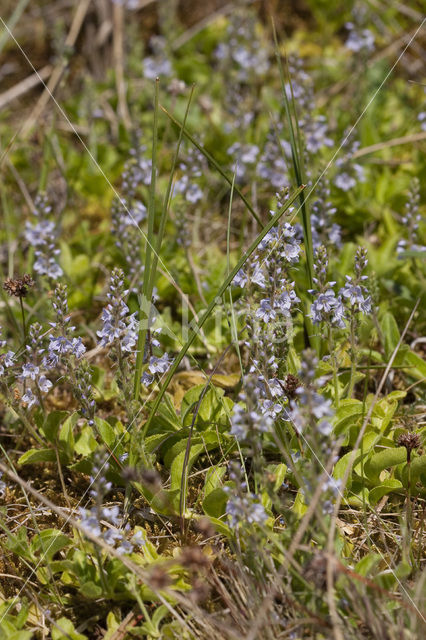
[41,235]
